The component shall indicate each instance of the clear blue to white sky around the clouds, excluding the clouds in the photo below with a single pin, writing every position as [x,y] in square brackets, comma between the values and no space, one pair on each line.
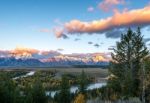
[21,23]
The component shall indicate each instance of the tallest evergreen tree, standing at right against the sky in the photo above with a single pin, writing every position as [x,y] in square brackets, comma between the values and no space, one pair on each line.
[126,62]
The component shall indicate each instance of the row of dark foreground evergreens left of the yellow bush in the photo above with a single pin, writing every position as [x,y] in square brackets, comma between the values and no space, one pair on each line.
[35,92]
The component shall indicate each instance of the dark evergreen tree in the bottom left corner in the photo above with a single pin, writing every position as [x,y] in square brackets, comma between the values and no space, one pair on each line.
[9,92]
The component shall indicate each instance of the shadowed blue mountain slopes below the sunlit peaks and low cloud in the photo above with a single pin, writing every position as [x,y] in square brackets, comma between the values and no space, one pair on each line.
[11,61]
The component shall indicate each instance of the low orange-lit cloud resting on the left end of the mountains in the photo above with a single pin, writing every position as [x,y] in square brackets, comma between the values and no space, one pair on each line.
[20,52]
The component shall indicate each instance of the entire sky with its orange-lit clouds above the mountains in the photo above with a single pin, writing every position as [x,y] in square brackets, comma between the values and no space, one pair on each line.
[70,26]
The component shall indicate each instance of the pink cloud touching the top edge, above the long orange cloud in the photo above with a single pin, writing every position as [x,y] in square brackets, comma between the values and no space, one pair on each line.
[107,5]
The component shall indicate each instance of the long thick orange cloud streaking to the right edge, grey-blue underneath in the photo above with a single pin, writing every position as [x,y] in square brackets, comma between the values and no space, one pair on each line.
[133,18]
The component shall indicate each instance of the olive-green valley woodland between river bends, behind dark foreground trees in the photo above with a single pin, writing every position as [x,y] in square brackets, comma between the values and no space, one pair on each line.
[50,79]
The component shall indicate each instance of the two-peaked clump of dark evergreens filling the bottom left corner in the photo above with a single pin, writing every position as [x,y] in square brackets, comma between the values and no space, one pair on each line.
[11,93]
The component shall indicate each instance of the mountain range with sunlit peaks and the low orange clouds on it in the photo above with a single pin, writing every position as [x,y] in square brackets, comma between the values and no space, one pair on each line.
[27,57]
